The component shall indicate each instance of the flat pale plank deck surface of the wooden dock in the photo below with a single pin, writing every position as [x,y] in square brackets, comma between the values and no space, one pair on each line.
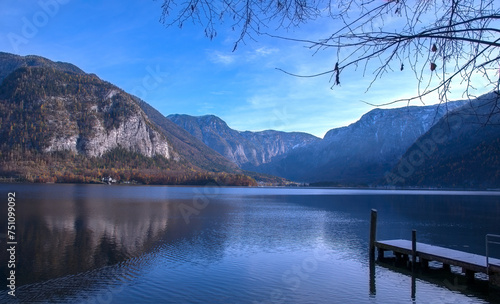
[467,260]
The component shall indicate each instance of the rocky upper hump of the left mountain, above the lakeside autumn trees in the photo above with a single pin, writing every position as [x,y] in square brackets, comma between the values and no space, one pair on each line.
[52,110]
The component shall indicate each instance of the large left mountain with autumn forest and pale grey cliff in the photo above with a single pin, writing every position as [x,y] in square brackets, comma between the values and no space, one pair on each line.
[58,123]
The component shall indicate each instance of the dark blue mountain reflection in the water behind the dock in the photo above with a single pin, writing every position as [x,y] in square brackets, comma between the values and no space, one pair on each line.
[458,221]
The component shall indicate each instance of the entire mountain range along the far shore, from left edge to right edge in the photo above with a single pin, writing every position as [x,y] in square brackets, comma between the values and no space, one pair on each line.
[58,123]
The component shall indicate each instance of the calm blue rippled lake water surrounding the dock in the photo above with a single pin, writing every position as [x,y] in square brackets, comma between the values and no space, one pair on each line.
[139,244]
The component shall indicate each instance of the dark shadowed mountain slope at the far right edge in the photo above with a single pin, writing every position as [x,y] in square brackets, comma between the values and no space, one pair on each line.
[461,150]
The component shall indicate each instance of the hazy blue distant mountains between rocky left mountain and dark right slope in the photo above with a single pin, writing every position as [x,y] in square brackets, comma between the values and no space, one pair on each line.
[360,153]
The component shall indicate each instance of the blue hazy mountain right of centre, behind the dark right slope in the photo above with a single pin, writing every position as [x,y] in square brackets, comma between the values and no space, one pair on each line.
[362,152]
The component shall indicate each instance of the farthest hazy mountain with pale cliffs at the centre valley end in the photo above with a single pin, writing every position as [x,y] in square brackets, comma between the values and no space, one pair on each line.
[247,149]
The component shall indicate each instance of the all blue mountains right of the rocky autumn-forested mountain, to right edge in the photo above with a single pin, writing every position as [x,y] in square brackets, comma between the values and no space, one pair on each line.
[370,151]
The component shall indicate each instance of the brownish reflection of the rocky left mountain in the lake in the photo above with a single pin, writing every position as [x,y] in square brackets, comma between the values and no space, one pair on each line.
[71,230]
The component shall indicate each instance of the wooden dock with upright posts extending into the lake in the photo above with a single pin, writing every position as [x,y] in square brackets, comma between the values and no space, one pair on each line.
[403,249]
